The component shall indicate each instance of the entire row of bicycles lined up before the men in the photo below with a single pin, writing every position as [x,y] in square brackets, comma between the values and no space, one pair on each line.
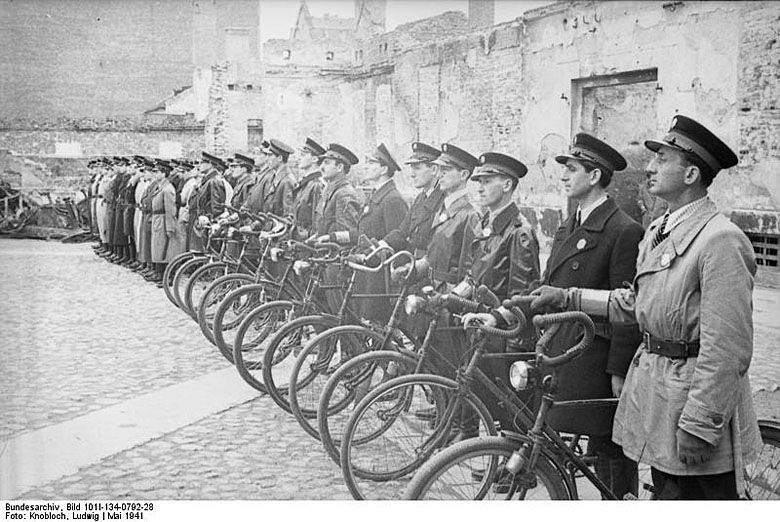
[287,315]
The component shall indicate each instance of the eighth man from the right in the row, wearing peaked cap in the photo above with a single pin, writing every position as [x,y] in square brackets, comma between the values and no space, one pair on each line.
[308,190]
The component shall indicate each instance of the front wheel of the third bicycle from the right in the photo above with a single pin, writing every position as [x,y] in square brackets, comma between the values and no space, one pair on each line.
[347,387]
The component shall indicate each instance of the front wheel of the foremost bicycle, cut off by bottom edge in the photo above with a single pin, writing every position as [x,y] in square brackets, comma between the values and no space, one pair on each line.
[439,477]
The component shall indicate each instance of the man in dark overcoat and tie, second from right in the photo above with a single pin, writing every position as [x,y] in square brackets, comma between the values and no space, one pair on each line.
[596,247]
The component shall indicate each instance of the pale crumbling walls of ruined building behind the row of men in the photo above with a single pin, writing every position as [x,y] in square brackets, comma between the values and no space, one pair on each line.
[618,69]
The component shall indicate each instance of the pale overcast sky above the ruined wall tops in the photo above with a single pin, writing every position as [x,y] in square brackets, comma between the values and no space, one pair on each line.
[278,16]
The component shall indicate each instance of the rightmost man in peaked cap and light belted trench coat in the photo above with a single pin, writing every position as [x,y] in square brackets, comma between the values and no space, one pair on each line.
[686,406]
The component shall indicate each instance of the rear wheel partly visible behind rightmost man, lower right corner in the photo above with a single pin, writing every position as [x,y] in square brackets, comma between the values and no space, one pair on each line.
[763,475]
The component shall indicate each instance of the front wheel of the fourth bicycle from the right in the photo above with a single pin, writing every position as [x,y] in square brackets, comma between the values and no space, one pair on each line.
[305,388]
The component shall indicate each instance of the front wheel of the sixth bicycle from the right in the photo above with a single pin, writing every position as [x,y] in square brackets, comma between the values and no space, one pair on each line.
[270,316]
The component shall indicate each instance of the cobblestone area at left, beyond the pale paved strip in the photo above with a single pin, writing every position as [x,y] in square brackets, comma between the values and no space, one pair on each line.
[79,334]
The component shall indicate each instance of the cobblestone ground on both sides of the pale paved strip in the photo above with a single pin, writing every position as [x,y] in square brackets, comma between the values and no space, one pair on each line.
[140,342]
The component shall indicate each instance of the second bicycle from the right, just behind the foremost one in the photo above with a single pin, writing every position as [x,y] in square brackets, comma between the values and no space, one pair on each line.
[385,440]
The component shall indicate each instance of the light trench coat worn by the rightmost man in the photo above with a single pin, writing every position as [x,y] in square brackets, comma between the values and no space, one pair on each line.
[695,285]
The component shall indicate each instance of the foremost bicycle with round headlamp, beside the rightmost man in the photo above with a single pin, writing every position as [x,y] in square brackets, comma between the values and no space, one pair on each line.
[539,465]
